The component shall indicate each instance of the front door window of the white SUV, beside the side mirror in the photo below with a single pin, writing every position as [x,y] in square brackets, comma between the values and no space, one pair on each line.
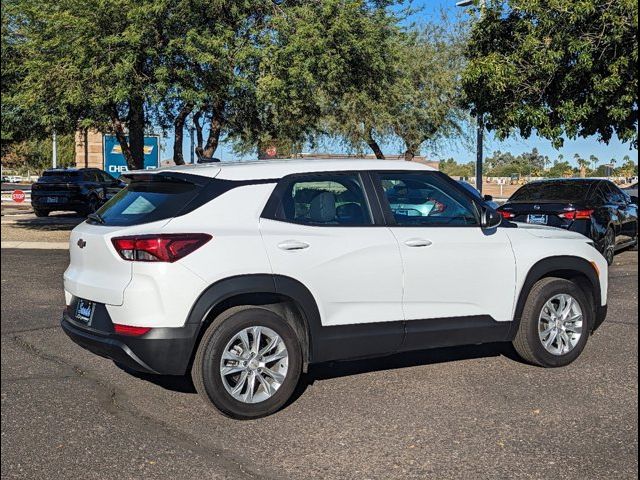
[423,198]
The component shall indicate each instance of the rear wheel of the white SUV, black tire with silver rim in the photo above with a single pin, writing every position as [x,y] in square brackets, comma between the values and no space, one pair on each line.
[225,336]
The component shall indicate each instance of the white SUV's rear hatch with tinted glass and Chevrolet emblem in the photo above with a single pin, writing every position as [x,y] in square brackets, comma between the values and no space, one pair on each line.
[96,272]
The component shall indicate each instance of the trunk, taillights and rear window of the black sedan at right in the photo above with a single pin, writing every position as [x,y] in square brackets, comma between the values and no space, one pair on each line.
[555,203]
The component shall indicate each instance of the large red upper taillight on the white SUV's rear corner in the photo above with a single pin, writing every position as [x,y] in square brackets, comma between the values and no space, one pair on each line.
[159,248]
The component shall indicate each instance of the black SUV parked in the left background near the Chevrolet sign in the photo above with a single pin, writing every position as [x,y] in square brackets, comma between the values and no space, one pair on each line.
[81,190]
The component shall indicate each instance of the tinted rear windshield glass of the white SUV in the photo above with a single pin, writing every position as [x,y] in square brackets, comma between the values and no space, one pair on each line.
[148,201]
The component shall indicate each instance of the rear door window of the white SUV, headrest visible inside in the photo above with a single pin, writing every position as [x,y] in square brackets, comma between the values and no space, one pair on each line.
[325,199]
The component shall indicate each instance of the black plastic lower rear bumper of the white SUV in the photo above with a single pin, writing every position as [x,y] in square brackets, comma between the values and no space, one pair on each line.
[165,351]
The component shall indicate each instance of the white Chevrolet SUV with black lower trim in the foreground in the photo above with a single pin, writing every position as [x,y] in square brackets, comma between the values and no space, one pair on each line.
[244,274]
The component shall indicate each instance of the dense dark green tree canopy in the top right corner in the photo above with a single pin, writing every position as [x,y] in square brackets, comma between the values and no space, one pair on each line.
[561,68]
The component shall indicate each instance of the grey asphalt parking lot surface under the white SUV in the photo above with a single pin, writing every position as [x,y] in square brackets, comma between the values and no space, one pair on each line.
[472,412]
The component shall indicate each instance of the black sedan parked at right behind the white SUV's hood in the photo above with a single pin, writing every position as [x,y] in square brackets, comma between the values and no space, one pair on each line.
[596,208]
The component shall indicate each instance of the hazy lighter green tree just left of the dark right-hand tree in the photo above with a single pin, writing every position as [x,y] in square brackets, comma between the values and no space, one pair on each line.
[412,91]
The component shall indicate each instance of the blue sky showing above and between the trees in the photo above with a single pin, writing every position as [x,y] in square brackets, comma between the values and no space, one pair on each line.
[431,11]
